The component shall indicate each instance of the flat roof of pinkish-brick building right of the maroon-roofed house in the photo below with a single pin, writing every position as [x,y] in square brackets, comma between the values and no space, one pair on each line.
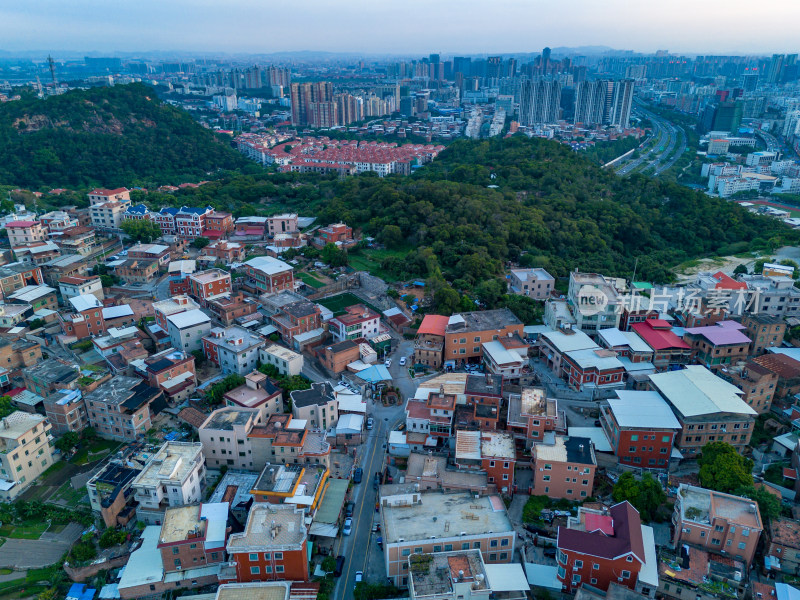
[703,506]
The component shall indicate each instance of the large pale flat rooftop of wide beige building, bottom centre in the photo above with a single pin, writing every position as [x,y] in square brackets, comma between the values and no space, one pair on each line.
[445,515]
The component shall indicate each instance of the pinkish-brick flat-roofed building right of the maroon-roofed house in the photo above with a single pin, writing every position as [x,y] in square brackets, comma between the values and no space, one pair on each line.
[717,522]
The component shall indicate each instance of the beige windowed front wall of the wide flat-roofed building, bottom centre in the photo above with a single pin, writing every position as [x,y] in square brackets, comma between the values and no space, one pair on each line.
[495,548]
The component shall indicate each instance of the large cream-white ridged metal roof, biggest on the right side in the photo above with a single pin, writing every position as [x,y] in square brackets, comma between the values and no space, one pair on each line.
[696,391]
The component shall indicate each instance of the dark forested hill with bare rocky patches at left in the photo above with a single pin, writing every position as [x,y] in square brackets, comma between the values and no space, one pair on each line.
[112,136]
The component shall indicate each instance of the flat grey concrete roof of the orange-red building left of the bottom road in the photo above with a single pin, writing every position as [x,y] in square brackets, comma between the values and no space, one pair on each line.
[272,526]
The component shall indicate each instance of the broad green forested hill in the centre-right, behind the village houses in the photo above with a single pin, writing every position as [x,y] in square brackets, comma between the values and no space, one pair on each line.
[549,202]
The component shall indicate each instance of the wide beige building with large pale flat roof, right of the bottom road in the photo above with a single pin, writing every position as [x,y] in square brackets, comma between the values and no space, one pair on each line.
[424,523]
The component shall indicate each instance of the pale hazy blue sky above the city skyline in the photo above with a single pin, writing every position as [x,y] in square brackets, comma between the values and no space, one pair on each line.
[399,27]
